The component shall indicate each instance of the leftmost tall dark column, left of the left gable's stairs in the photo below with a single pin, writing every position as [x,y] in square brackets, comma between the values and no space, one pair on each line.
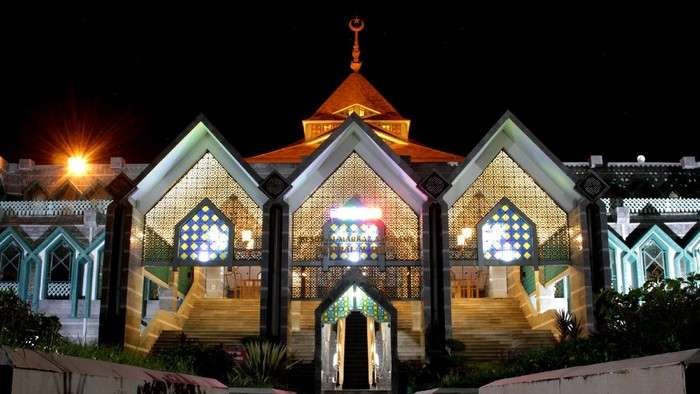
[115,270]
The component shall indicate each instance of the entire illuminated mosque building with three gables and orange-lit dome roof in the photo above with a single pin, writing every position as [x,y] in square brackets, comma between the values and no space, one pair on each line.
[357,246]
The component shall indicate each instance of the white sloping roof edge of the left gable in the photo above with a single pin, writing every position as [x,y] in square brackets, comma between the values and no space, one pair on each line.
[197,139]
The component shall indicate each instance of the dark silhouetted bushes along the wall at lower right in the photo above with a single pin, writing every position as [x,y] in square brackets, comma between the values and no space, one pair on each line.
[661,316]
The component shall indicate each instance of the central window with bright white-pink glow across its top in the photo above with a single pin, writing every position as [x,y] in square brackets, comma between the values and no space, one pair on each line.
[354,235]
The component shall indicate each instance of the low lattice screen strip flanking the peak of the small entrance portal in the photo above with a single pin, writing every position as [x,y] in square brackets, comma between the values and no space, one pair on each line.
[394,282]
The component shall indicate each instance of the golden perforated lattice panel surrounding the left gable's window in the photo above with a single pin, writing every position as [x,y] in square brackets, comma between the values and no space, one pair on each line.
[206,179]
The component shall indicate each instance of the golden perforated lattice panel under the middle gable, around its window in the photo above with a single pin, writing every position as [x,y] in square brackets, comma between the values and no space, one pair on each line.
[354,178]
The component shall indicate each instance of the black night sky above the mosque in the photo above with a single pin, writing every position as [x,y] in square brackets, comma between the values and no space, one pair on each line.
[129,79]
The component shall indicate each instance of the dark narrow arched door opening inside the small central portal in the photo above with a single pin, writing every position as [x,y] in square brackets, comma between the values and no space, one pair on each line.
[355,364]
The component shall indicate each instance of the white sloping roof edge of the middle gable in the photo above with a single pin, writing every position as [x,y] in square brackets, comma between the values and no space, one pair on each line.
[353,138]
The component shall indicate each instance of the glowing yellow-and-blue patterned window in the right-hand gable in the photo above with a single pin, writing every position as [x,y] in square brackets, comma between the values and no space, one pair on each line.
[506,235]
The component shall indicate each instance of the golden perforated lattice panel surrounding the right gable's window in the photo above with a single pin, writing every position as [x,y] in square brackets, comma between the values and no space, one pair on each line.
[504,178]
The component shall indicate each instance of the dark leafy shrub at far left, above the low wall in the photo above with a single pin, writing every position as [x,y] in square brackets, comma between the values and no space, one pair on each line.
[22,327]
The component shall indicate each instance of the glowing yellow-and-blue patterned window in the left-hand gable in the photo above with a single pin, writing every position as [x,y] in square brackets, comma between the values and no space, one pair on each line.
[204,236]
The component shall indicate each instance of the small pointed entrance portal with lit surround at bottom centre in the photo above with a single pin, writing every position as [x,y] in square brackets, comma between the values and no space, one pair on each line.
[356,338]
